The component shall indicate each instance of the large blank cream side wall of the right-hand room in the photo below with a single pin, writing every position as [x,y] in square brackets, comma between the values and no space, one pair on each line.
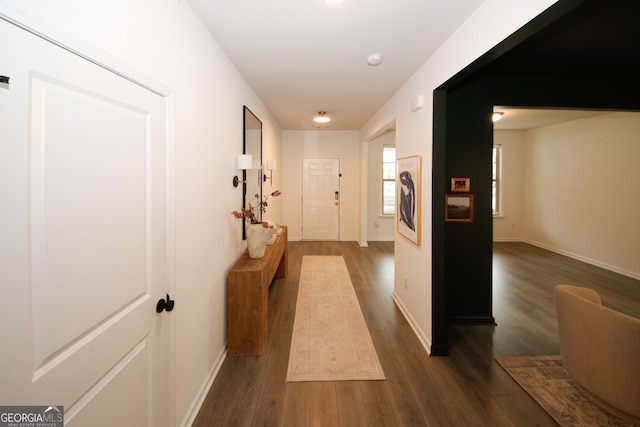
[582,190]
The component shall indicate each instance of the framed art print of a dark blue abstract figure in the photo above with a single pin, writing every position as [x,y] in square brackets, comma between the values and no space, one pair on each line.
[408,201]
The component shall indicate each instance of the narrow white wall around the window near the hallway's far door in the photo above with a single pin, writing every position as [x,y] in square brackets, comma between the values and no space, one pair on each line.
[379,227]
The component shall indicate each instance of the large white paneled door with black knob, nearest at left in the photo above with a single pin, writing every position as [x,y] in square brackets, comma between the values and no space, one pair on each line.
[83,219]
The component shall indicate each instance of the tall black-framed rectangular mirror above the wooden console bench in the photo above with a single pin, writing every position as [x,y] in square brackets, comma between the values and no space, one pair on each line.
[252,144]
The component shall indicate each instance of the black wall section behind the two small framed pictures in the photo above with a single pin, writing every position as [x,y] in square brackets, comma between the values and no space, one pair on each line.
[468,248]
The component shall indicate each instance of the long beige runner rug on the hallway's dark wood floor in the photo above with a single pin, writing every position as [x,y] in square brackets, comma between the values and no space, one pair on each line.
[330,340]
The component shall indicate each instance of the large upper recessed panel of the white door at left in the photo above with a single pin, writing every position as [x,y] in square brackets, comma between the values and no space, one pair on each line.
[74,205]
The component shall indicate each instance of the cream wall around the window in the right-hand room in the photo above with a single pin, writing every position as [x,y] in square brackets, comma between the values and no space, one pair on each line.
[508,227]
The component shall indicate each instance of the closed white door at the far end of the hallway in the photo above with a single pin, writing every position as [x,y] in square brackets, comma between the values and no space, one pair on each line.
[321,199]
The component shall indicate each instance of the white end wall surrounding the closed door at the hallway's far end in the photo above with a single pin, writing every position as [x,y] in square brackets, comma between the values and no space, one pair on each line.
[298,144]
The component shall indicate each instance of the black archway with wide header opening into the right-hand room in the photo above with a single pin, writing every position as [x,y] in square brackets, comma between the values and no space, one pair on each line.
[564,59]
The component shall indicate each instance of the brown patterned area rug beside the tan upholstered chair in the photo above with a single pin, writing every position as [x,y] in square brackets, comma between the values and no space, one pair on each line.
[544,378]
